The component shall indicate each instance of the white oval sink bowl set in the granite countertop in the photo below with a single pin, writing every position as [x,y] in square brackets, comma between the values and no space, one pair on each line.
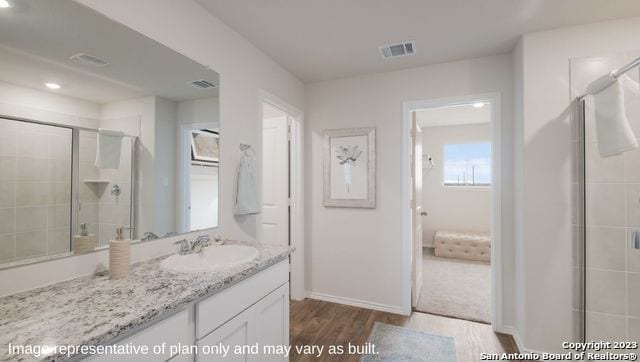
[210,259]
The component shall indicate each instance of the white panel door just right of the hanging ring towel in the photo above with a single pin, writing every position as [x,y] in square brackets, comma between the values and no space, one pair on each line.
[275,176]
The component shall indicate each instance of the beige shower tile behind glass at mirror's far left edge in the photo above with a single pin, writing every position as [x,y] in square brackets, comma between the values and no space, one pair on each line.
[35,190]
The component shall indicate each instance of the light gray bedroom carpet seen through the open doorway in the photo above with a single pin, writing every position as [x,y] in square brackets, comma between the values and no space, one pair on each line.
[455,288]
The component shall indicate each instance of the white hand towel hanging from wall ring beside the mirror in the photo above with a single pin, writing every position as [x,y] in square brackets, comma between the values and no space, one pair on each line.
[247,196]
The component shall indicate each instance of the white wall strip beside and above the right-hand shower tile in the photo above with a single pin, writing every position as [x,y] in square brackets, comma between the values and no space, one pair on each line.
[545,239]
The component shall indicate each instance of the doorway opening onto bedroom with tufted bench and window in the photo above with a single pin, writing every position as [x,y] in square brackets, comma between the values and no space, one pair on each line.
[453,204]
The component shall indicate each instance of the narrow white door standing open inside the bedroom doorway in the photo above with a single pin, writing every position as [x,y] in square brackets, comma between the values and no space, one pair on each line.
[416,209]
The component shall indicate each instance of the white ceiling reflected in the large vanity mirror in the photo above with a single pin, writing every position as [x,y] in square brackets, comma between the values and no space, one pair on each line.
[38,37]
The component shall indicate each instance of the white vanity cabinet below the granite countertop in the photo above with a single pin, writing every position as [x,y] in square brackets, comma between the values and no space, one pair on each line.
[252,312]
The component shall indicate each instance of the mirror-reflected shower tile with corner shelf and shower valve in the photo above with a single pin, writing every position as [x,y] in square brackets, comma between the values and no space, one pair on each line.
[99,208]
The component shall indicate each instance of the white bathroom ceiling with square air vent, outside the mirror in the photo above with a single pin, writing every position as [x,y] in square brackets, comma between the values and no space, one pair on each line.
[327,39]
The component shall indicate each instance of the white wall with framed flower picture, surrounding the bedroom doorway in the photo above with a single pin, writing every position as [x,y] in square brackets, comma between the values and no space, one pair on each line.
[355,255]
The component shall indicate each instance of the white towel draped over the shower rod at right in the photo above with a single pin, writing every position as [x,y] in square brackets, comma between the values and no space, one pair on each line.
[614,133]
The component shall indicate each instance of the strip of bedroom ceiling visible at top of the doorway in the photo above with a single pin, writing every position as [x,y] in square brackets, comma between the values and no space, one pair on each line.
[453,116]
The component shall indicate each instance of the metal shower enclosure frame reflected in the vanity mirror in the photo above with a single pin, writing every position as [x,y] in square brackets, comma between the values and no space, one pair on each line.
[75,177]
